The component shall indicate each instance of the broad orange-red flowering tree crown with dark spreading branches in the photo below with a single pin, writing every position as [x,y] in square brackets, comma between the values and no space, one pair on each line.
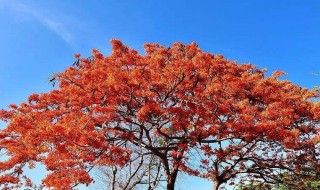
[197,112]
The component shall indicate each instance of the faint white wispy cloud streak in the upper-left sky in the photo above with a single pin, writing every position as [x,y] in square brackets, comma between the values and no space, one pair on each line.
[58,26]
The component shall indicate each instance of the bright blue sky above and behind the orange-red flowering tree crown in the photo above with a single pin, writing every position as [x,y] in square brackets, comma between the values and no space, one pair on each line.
[39,38]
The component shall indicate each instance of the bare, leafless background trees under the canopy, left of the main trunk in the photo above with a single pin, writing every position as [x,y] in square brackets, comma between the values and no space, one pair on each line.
[143,171]
